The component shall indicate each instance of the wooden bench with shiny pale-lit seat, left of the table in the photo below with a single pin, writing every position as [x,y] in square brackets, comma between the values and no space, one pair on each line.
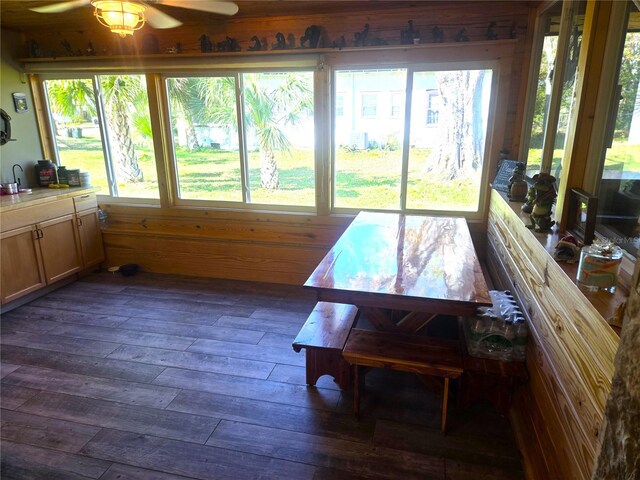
[324,335]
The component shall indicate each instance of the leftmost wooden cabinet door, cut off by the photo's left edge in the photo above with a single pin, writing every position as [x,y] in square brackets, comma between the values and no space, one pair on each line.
[21,263]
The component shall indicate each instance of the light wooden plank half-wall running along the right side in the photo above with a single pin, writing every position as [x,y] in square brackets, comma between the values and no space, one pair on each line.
[558,415]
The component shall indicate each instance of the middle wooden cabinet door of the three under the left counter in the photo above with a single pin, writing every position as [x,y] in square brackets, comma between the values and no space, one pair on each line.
[60,247]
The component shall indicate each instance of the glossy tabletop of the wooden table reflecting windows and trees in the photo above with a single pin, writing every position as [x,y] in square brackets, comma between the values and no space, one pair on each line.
[404,256]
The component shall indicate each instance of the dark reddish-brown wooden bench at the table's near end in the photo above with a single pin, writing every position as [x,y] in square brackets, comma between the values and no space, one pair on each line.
[408,353]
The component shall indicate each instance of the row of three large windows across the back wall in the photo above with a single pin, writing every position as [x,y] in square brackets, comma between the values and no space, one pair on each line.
[397,138]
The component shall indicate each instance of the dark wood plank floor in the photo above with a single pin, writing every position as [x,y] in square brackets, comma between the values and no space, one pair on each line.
[165,377]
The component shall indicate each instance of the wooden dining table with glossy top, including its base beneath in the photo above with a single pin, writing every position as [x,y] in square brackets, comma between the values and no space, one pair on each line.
[402,270]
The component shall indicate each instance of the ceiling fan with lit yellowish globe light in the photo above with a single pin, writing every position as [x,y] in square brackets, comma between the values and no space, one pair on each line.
[125,16]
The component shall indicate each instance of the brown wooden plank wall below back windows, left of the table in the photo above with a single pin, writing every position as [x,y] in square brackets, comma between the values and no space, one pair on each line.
[266,247]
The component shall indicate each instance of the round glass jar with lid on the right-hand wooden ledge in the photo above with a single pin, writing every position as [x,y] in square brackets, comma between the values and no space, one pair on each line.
[599,266]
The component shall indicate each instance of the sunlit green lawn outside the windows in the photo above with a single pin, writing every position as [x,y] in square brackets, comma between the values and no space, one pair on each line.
[363,179]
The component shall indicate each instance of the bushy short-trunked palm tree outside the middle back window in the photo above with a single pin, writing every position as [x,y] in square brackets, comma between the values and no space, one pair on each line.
[271,101]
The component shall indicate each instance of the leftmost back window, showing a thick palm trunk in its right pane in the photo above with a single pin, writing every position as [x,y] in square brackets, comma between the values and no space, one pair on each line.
[111,139]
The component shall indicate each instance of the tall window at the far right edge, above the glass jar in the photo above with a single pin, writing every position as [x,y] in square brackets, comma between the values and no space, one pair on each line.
[619,188]
